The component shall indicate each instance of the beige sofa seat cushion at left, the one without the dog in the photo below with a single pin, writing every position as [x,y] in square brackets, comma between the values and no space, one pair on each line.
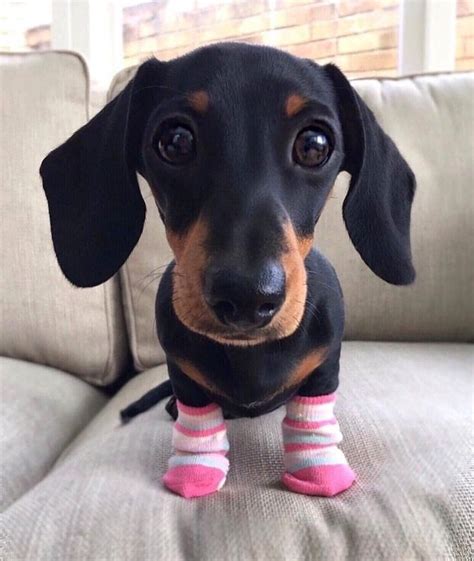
[42,410]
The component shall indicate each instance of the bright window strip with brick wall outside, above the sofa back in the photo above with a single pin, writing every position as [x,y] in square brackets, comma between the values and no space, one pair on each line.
[364,37]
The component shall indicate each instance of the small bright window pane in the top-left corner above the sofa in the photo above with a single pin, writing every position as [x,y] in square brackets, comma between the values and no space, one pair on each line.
[25,25]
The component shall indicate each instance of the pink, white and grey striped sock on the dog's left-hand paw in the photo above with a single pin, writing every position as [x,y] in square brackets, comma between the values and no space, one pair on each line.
[199,465]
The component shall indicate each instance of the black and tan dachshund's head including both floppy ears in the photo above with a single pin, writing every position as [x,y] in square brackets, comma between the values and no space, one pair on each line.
[241,146]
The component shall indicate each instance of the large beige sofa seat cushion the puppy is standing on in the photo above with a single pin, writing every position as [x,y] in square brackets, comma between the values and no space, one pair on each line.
[405,412]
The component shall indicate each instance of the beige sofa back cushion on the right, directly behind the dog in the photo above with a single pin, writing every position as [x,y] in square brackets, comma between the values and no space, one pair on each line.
[430,119]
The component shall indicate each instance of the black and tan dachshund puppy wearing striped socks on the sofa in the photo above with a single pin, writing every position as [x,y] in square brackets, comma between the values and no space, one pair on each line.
[241,146]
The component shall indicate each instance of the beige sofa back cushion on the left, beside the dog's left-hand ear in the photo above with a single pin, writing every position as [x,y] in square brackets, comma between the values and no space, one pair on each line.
[43,318]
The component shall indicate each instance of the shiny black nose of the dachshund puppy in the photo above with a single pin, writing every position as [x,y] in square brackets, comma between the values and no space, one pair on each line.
[245,301]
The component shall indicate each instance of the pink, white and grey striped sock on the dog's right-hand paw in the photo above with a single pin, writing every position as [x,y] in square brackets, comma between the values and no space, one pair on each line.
[314,465]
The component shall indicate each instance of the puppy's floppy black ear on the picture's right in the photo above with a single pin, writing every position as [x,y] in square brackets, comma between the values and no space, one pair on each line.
[378,204]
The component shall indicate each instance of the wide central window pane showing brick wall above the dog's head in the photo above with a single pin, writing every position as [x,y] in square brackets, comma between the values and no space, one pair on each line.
[361,36]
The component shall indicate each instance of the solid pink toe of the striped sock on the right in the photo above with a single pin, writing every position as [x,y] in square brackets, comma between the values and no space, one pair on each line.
[322,481]
